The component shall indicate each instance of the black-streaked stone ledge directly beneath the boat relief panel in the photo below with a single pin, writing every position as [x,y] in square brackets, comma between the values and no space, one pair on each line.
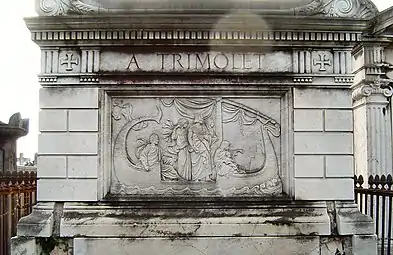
[196,222]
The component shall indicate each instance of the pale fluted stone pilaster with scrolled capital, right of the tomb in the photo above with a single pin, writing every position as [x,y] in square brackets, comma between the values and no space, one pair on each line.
[372,127]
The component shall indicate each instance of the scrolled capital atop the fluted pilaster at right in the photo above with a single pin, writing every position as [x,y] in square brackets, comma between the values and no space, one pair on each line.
[371,87]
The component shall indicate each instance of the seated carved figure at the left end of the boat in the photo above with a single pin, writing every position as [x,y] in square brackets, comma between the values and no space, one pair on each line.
[149,154]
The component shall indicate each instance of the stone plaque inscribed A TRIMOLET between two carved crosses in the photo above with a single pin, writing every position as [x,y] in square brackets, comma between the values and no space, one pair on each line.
[197,62]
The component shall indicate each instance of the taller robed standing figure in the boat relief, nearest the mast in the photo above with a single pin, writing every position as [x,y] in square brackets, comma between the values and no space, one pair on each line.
[200,140]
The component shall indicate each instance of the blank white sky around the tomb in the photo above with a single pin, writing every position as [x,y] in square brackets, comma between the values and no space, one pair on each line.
[20,64]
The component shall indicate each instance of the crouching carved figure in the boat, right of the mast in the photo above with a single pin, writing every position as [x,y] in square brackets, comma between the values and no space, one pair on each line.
[223,161]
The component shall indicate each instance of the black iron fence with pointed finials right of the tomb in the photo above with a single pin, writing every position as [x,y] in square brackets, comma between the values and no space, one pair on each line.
[374,197]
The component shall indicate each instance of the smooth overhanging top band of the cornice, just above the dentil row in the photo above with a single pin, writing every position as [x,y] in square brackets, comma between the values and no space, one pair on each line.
[164,21]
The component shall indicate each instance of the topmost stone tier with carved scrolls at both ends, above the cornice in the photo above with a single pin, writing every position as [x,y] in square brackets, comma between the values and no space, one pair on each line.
[359,9]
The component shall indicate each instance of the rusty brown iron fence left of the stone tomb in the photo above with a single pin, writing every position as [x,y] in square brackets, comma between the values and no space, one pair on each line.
[17,197]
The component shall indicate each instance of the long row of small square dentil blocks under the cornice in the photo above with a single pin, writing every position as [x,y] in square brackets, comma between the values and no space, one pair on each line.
[195,35]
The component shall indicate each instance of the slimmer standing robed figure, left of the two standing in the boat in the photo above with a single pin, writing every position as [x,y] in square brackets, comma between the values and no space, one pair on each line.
[181,148]
